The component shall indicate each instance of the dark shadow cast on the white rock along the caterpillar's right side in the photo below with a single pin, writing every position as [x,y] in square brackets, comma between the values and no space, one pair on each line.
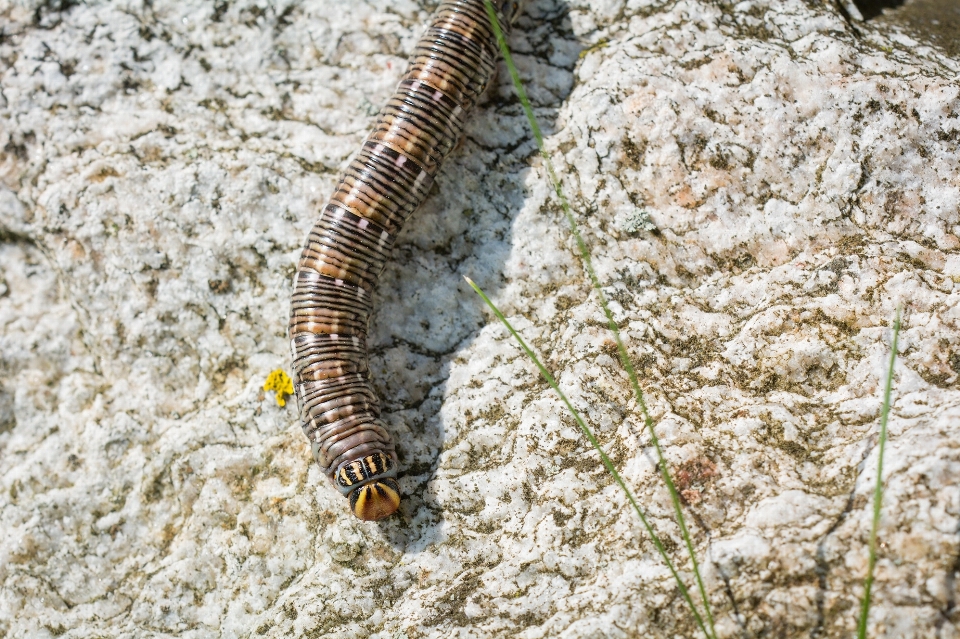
[425,314]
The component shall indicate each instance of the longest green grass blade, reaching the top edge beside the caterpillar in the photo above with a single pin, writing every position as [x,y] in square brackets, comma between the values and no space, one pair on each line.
[611,323]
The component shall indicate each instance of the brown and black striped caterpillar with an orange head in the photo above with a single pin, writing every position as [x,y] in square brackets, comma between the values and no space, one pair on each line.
[346,250]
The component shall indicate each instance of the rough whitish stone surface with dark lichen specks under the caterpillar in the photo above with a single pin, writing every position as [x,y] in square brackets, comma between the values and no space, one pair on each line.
[761,184]
